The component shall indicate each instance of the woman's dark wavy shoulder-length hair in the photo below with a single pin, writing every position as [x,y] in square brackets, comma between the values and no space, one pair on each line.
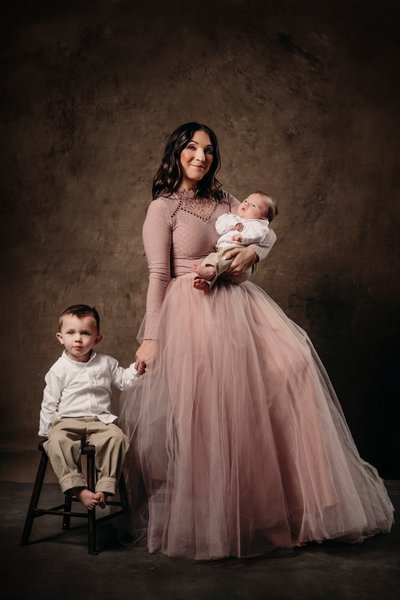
[169,176]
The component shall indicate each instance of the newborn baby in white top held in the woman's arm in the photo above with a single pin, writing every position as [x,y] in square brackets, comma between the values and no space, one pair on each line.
[250,225]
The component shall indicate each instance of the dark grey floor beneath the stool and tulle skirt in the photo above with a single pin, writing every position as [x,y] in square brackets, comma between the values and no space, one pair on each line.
[56,565]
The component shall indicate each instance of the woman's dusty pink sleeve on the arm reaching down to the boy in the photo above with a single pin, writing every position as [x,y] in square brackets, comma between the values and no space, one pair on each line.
[157,239]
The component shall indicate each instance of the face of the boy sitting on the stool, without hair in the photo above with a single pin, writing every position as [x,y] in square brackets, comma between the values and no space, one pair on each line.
[79,336]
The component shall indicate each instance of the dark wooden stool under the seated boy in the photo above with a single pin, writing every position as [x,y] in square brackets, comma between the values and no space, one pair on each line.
[64,510]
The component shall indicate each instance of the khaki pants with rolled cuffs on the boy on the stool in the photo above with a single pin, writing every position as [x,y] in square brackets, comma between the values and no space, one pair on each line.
[64,451]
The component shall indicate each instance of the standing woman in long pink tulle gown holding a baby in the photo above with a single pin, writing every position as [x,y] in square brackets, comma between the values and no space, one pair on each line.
[242,444]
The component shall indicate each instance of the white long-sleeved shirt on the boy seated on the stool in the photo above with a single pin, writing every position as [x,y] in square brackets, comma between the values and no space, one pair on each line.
[76,389]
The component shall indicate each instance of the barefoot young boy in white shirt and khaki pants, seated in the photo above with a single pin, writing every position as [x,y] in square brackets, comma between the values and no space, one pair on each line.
[76,406]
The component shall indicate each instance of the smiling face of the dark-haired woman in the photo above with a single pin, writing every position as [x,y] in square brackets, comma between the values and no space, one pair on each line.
[196,159]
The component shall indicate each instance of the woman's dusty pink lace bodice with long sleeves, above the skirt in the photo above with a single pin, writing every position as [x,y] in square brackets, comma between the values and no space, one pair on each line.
[179,231]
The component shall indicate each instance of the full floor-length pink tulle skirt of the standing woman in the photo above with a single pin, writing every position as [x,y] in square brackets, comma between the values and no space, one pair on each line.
[238,443]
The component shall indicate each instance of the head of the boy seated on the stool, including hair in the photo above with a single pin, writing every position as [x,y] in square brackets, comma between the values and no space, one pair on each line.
[79,331]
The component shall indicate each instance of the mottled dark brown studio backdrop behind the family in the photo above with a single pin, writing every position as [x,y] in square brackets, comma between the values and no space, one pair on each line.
[304,97]
